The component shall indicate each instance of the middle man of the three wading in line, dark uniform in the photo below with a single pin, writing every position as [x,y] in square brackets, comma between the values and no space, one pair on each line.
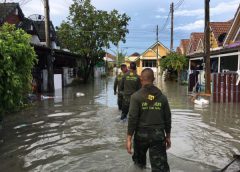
[130,84]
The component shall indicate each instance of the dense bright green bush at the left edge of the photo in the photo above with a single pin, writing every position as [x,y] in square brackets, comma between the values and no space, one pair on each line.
[17,59]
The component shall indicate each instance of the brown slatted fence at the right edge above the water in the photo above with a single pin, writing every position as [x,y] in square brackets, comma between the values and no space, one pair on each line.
[225,88]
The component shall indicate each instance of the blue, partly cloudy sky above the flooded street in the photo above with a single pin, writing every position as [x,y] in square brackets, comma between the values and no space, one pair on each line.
[145,16]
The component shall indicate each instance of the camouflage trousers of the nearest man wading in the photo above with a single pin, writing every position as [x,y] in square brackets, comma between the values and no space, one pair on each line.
[154,141]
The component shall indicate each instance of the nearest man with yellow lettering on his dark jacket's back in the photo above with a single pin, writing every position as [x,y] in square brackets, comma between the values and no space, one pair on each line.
[150,123]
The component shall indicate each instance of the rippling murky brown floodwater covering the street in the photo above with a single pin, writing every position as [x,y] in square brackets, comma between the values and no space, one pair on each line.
[84,134]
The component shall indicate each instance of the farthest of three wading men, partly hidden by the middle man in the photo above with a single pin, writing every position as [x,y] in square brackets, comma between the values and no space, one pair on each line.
[117,84]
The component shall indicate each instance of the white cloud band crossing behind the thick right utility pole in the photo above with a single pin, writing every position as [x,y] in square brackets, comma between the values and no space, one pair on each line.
[221,8]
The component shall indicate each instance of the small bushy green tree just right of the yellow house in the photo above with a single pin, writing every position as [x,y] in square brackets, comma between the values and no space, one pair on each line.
[174,61]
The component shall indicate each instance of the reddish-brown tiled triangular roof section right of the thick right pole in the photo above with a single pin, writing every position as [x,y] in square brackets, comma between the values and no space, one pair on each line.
[220,30]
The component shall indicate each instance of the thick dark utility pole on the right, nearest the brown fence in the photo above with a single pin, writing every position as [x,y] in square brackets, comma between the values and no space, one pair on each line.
[207,48]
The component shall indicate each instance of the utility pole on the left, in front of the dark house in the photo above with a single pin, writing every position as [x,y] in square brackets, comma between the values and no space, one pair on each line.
[48,44]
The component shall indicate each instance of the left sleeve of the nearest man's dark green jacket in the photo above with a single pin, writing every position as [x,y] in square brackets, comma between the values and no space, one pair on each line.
[133,115]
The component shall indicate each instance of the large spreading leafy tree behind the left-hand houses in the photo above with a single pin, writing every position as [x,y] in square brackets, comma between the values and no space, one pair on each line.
[88,31]
